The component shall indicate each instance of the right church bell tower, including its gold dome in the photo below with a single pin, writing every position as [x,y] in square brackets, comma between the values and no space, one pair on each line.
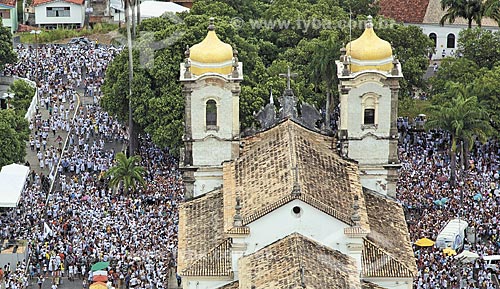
[369,86]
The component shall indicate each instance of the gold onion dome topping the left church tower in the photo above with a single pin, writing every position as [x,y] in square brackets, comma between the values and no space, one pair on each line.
[211,55]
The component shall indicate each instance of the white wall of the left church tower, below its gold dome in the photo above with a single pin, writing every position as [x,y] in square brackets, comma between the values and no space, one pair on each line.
[211,133]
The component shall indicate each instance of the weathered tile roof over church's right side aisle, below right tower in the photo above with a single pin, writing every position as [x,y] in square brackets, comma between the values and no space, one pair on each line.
[388,234]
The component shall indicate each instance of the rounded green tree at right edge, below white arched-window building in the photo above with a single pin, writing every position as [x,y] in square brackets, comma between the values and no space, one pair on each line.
[481,46]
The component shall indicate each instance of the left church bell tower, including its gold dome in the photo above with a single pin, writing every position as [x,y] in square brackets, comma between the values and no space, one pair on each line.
[210,76]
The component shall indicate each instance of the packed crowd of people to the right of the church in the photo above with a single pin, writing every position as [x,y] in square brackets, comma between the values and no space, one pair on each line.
[425,180]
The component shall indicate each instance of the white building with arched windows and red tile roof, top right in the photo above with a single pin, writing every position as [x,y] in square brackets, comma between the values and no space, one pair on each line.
[427,14]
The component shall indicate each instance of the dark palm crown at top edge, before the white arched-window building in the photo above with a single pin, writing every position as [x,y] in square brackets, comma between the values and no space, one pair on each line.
[472,10]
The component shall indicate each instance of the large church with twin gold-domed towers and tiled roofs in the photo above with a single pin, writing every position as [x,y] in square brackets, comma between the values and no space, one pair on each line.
[291,206]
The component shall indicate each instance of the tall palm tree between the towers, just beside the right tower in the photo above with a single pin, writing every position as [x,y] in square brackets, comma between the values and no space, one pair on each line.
[324,69]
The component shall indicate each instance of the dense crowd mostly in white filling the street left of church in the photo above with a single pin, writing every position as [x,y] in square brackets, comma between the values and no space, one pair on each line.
[84,220]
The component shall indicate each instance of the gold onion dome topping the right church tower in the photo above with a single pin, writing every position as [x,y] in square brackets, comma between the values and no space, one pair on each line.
[369,52]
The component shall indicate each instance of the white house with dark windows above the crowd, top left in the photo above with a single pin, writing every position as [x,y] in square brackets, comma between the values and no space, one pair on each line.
[59,13]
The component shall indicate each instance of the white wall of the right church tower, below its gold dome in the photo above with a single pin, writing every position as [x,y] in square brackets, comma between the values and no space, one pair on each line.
[368,130]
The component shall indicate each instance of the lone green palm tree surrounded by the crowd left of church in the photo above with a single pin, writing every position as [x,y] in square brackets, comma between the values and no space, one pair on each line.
[126,172]
